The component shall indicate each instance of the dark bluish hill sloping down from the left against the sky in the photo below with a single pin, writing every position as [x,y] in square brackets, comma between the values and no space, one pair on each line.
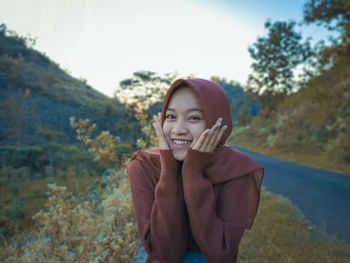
[35,91]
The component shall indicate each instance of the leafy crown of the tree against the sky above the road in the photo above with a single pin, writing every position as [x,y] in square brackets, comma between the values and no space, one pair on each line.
[276,56]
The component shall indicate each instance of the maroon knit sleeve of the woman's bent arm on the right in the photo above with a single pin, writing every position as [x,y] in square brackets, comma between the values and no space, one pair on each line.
[217,225]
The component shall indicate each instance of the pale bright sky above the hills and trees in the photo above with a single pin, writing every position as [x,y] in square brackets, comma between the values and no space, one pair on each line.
[105,41]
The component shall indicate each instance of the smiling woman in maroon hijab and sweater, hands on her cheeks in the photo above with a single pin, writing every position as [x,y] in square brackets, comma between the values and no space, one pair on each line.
[193,195]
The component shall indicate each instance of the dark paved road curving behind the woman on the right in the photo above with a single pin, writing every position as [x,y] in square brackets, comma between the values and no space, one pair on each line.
[322,196]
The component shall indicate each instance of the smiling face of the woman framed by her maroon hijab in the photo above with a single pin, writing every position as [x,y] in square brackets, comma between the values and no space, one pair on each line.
[184,122]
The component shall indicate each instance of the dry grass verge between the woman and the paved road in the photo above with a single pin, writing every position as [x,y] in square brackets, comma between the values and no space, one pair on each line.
[281,235]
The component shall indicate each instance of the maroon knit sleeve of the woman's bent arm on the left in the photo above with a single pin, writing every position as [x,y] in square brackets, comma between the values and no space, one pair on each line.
[160,215]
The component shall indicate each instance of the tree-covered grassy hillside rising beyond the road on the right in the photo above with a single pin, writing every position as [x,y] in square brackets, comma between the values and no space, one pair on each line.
[310,125]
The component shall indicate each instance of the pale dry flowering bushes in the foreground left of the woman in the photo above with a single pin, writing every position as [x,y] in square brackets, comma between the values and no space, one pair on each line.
[77,229]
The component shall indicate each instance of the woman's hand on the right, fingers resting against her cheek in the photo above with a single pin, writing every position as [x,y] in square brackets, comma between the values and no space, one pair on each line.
[210,138]
